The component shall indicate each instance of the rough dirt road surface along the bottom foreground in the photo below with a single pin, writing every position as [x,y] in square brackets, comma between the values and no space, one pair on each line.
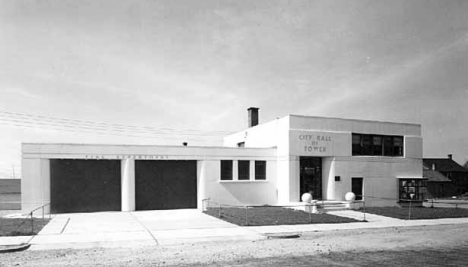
[440,245]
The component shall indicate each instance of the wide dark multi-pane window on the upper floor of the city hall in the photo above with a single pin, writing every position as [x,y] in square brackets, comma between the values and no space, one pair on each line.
[377,145]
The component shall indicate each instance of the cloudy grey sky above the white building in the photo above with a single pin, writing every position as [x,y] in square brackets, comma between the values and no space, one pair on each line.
[165,72]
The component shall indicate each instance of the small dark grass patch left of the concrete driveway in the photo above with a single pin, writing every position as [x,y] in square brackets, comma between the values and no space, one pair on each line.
[21,227]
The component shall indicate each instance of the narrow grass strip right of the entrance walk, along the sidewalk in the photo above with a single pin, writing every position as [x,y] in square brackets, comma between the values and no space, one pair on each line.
[418,212]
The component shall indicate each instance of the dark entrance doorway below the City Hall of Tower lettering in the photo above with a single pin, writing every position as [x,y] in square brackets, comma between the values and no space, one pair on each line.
[311,176]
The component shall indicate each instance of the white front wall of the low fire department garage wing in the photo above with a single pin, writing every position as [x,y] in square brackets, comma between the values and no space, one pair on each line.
[36,170]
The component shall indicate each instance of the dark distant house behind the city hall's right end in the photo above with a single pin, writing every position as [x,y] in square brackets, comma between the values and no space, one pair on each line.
[445,177]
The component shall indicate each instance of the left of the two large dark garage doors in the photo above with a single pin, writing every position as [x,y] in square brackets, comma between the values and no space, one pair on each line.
[84,185]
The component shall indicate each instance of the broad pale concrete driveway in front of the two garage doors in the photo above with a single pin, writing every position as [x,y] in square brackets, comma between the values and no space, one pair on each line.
[141,228]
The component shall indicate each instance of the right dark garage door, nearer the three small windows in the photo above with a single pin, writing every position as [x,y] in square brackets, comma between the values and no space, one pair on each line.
[165,184]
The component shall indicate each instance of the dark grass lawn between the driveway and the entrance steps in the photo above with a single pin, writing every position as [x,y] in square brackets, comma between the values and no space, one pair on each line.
[261,216]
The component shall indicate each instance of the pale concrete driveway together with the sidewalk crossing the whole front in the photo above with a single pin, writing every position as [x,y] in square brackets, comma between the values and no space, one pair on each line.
[152,228]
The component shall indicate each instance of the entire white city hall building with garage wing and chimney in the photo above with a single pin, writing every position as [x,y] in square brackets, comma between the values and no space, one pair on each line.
[267,164]
